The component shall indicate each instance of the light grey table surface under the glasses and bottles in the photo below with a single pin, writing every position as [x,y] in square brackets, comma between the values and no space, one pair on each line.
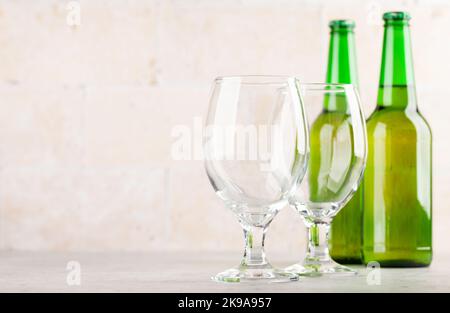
[189,272]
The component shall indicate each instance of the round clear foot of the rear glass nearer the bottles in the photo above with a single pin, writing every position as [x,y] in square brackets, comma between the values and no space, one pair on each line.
[314,268]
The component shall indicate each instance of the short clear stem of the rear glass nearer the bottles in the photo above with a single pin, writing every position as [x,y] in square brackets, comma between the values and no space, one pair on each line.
[318,242]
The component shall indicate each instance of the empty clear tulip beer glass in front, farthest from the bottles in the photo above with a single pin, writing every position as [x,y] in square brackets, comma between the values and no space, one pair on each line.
[256,151]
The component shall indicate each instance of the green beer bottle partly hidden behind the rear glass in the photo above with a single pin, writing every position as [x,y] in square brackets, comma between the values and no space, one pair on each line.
[346,230]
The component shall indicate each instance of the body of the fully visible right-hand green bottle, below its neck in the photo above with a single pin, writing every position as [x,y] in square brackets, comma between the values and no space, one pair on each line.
[397,190]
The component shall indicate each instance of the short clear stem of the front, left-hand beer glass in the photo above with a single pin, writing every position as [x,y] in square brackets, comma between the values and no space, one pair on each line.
[254,254]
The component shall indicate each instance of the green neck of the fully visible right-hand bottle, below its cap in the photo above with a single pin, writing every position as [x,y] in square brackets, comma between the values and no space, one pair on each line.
[397,87]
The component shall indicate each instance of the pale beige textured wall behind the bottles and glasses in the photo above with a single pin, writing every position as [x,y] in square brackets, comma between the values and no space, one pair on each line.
[86,112]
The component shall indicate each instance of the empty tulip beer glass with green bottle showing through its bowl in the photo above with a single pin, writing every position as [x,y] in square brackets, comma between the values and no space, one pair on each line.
[338,148]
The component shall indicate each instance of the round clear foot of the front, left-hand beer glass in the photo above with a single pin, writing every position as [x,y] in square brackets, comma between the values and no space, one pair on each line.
[241,275]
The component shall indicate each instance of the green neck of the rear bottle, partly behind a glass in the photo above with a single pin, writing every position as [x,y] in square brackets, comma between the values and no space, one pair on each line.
[342,68]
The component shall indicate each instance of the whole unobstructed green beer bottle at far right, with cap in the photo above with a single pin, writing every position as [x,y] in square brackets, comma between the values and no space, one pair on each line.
[397,181]
